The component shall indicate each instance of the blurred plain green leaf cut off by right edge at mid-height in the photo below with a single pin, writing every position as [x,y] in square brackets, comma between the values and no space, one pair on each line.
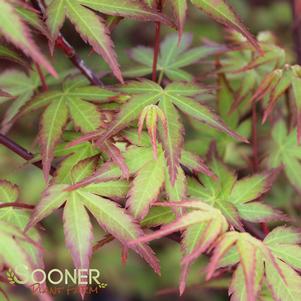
[284,150]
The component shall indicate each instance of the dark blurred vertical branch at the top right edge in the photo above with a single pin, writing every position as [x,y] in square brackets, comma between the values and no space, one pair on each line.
[296,11]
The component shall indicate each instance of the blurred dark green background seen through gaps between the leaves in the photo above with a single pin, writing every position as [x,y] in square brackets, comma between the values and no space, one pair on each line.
[135,281]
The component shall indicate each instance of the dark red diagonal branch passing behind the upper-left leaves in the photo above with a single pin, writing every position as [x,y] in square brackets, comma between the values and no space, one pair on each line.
[70,52]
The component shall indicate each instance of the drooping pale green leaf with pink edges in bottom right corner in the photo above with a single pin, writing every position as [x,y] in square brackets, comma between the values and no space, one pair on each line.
[258,260]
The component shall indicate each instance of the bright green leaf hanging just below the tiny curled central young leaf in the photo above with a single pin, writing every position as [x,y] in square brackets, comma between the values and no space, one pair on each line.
[150,175]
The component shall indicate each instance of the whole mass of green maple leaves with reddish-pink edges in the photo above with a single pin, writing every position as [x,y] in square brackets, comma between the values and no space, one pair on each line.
[196,143]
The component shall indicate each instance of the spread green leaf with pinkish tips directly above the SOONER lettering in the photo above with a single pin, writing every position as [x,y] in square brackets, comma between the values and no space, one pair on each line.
[77,225]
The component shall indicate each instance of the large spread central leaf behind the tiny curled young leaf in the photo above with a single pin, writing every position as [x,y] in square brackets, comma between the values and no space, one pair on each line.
[175,97]
